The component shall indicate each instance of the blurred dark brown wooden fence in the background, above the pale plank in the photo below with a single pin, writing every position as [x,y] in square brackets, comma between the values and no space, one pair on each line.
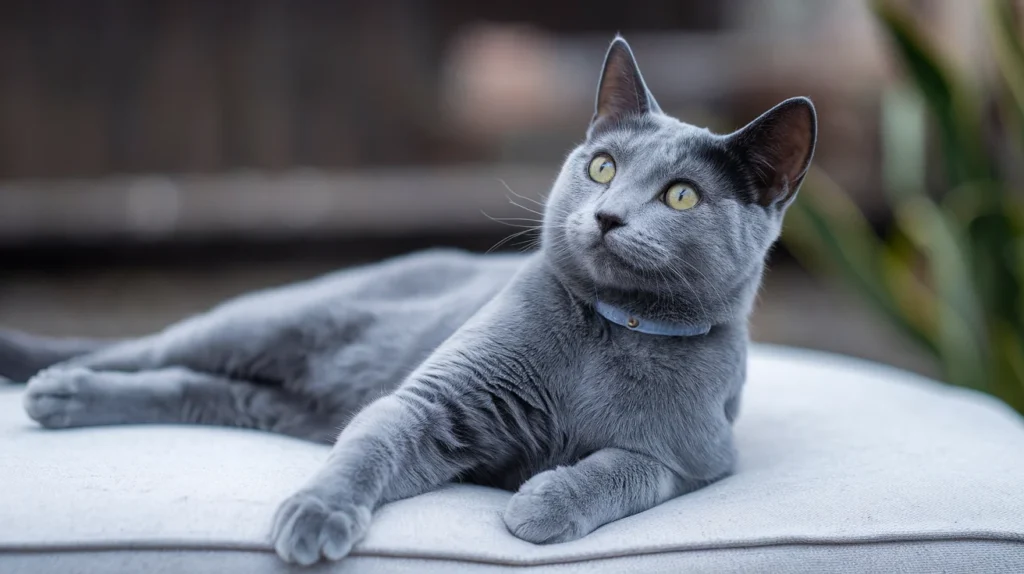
[95,87]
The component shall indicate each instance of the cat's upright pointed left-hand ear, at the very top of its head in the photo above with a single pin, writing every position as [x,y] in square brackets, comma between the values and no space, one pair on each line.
[621,92]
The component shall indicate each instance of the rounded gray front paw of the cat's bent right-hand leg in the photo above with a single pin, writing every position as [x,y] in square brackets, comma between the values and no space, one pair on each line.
[545,512]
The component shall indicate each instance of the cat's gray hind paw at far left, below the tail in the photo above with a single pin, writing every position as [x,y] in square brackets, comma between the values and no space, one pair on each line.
[58,396]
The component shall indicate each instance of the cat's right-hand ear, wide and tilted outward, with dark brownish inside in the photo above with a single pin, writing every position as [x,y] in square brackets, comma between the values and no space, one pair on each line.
[779,148]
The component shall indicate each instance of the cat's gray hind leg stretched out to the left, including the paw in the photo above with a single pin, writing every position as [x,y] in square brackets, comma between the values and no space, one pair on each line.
[72,396]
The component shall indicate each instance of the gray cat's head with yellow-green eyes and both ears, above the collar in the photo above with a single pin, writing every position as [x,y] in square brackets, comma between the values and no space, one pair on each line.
[650,211]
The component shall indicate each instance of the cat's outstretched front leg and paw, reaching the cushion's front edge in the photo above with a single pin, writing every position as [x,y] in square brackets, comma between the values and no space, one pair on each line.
[401,446]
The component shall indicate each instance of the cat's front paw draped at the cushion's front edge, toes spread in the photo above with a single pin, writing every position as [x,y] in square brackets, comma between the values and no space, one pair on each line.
[307,527]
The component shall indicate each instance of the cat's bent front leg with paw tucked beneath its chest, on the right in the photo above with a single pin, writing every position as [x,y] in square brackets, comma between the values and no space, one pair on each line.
[568,503]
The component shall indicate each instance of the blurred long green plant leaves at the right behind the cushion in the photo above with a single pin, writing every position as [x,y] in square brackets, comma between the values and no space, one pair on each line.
[950,272]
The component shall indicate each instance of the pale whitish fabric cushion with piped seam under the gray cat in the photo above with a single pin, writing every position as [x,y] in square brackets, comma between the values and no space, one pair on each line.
[844,467]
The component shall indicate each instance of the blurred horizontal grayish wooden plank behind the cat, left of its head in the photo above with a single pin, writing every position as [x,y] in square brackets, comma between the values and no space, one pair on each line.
[302,203]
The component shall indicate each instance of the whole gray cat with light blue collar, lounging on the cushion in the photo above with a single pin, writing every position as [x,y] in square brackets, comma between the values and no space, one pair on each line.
[596,378]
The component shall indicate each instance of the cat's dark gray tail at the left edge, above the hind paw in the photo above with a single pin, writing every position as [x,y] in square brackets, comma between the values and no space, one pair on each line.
[23,356]
